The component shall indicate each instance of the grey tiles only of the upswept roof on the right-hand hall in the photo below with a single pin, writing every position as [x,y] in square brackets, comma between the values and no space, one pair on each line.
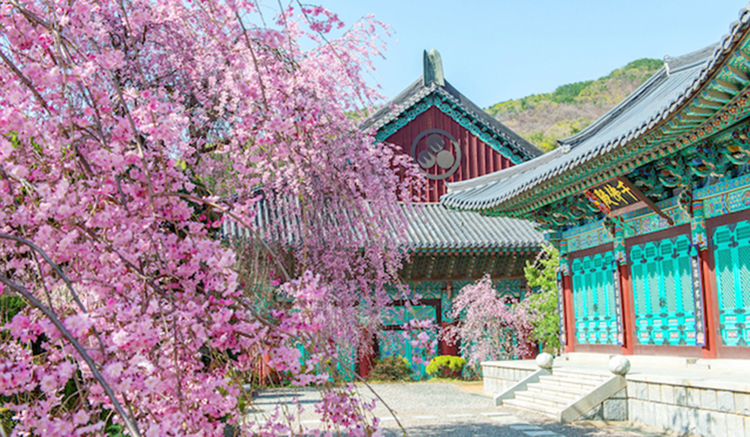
[659,98]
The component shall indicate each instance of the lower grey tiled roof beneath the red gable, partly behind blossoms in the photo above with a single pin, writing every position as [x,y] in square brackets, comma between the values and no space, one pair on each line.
[430,226]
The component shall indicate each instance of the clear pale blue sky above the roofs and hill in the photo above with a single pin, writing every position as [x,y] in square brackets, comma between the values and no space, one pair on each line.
[498,50]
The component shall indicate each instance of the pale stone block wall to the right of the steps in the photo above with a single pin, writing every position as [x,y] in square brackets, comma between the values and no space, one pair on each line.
[685,409]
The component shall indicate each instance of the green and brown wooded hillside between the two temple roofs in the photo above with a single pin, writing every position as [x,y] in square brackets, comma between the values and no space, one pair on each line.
[542,119]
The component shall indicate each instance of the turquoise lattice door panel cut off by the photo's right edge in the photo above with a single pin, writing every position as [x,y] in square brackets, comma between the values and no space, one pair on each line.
[732,261]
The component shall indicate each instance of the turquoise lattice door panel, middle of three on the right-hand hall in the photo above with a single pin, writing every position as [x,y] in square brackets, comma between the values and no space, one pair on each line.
[664,297]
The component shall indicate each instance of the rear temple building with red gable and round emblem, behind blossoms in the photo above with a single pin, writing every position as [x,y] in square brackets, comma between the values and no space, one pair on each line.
[452,140]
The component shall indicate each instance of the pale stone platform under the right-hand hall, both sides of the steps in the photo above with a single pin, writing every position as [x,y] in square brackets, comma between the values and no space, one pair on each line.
[684,395]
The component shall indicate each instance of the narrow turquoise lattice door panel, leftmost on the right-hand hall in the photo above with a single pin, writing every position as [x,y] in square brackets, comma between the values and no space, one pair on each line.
[594,297]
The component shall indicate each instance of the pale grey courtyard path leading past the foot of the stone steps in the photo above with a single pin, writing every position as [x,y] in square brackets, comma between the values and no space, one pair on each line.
[443,409]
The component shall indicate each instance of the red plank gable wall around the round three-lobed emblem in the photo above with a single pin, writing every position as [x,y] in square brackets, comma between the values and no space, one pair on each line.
[477,157]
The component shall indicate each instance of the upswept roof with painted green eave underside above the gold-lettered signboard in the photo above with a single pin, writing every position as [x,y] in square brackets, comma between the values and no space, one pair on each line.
[690,99]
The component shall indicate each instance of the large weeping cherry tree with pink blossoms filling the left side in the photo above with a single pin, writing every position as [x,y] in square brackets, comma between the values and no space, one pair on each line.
[117,120]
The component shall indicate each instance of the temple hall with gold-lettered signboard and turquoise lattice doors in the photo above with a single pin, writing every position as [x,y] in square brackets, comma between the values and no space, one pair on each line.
[650,208]
